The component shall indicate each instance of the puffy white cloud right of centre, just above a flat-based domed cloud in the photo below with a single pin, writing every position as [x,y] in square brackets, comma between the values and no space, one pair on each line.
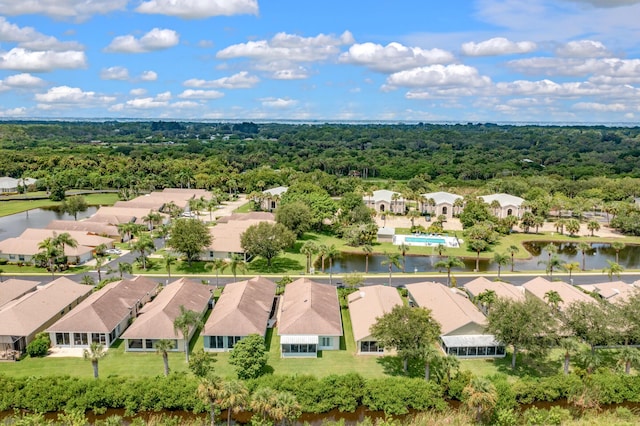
[393,57]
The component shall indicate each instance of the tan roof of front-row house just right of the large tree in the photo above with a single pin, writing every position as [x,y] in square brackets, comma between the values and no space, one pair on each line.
[448,306]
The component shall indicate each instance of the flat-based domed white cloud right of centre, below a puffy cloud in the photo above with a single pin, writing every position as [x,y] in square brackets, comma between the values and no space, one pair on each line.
[437,75]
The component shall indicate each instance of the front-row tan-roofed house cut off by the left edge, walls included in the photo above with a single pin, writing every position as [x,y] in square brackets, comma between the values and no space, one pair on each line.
[21,319]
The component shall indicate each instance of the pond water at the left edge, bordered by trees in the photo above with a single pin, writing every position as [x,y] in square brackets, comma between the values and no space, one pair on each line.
[15,224]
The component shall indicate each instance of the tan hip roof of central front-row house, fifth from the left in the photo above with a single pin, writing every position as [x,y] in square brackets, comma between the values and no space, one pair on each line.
[310,308]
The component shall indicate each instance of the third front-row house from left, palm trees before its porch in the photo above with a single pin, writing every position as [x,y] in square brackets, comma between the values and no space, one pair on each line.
[155,319]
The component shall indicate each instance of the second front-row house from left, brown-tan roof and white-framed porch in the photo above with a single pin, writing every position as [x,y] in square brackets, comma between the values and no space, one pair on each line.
[104,315]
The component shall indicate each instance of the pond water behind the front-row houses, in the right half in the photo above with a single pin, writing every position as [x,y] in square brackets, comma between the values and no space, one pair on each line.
[596,258]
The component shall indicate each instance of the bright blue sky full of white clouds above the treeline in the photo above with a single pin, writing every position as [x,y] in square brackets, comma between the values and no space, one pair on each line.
[375,60]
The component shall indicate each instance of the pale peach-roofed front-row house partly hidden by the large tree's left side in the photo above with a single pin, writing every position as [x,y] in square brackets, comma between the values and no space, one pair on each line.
[365,306]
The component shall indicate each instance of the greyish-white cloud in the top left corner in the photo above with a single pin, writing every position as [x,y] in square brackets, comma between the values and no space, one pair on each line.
[62,9]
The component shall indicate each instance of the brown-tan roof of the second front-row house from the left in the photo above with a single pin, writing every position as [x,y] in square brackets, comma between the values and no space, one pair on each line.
[103,310]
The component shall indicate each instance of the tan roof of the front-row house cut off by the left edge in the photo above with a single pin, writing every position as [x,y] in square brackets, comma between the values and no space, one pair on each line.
[31,312]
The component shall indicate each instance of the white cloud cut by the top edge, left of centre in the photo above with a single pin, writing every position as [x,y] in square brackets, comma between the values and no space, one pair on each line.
[199,9]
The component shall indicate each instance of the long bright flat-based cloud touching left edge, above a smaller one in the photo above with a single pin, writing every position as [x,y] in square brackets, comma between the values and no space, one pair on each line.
[25,60]
